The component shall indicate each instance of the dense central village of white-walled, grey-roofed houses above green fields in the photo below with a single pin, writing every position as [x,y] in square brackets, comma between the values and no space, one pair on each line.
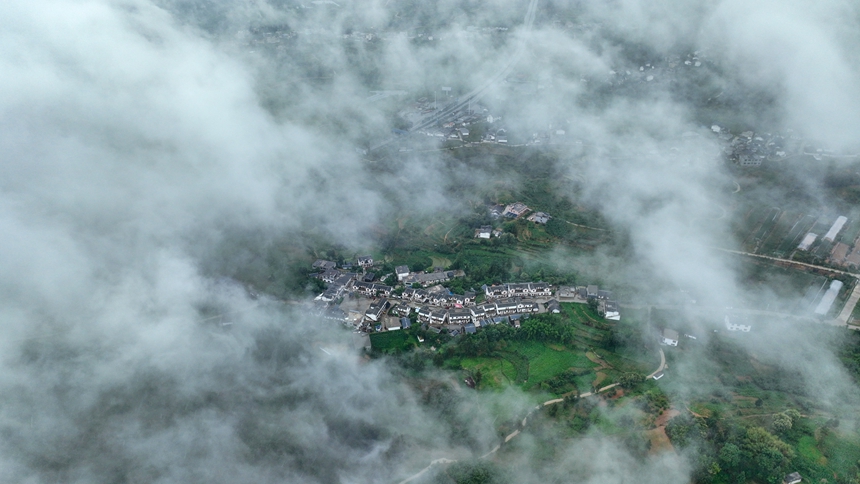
[420,298]
